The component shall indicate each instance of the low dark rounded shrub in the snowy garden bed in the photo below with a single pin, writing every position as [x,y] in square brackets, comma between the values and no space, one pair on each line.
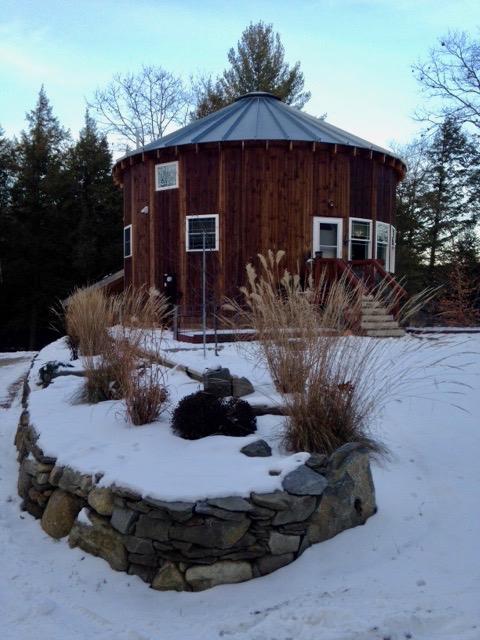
[202,414]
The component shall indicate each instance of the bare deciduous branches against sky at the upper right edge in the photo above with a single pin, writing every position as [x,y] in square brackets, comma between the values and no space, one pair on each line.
[450,78]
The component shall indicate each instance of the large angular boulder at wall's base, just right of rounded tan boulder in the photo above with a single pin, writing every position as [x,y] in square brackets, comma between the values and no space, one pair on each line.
[101,540]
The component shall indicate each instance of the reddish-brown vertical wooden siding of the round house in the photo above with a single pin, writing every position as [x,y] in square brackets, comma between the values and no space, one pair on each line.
[265,195]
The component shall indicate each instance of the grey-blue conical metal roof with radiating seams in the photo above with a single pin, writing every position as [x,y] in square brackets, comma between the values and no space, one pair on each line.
[259,116]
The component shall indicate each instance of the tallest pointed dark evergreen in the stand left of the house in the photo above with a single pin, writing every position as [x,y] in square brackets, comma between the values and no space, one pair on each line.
[39,266]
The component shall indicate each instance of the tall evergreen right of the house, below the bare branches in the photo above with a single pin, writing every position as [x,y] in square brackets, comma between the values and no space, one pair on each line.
[447,207]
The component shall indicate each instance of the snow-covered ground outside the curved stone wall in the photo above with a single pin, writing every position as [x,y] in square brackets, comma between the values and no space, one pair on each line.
[411,572]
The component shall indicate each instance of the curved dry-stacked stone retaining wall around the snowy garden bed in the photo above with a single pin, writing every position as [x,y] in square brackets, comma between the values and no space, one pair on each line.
[196,545]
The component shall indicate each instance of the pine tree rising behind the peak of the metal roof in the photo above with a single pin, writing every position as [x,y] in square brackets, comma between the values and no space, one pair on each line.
[257,64]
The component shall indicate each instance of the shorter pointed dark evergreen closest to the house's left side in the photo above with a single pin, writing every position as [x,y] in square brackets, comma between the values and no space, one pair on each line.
[96,204]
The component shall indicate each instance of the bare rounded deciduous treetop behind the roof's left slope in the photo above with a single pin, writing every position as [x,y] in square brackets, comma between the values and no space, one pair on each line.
[140,107]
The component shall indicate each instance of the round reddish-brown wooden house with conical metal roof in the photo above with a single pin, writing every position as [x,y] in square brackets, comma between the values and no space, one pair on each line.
[253,176]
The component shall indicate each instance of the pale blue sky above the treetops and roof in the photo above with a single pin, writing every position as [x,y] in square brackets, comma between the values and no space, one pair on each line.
[355,54]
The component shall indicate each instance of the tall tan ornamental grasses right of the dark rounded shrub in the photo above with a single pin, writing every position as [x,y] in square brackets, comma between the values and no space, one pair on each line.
[304,337]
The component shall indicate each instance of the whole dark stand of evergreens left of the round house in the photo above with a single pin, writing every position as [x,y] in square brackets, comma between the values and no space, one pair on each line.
[60,222]
